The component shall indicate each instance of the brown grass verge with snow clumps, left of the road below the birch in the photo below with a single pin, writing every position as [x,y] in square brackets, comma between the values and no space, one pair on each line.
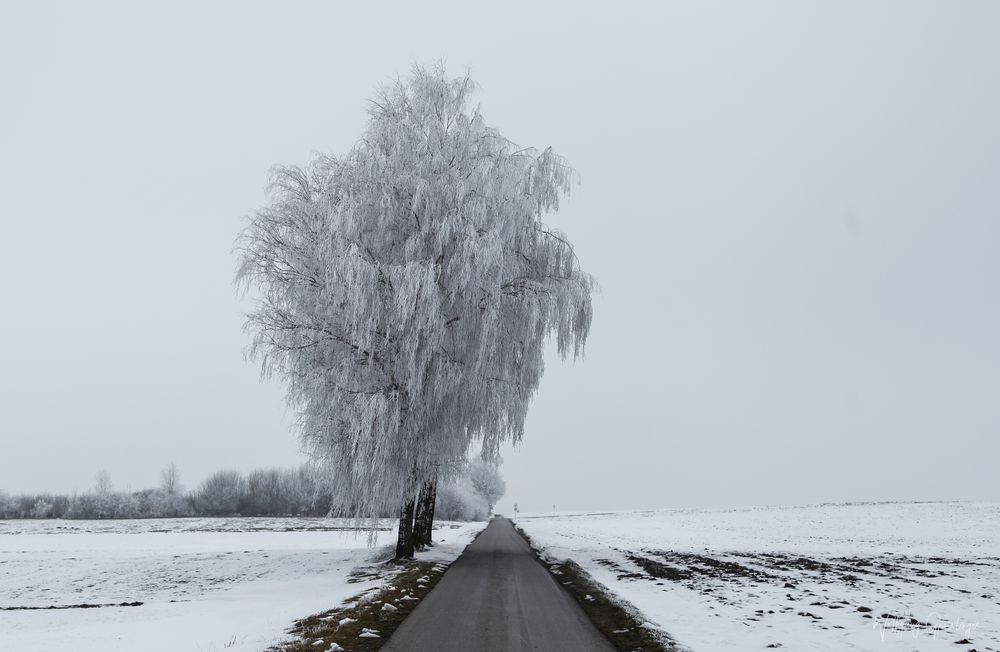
[365,622]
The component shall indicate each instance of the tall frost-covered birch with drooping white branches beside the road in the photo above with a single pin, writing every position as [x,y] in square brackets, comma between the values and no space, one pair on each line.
[408,289]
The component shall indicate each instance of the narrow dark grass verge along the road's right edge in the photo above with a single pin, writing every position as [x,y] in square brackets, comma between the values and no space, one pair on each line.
[618,620]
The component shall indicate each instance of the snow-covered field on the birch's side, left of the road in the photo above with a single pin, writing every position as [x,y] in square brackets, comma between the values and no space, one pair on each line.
[204,584]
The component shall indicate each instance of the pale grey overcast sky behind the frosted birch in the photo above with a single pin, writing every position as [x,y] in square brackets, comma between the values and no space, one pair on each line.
[792,209]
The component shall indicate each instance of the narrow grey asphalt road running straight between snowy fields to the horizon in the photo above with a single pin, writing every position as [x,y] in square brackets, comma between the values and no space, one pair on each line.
[497,597]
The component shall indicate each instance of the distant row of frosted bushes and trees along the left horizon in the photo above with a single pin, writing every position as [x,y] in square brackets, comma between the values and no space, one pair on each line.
[262,492]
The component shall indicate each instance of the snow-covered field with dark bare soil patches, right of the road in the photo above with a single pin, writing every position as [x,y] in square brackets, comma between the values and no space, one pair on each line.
[913,576]
